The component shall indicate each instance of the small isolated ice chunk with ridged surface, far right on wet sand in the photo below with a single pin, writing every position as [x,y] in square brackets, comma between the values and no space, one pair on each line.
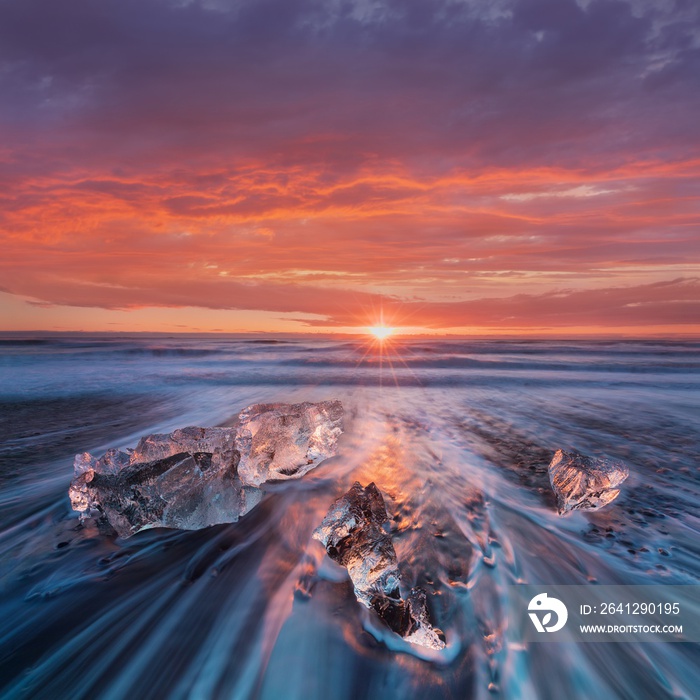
[584,483]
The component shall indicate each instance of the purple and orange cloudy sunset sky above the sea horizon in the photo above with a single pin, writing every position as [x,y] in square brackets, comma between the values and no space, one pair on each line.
[518,167]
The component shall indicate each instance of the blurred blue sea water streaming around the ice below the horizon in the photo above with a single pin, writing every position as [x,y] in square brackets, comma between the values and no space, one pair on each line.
[457,434]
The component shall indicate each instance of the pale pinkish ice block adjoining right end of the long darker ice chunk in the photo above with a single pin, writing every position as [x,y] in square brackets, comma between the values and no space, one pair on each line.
[283,441]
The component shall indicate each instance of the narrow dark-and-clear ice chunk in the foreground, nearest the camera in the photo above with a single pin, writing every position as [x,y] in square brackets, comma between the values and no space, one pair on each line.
[354,536]
